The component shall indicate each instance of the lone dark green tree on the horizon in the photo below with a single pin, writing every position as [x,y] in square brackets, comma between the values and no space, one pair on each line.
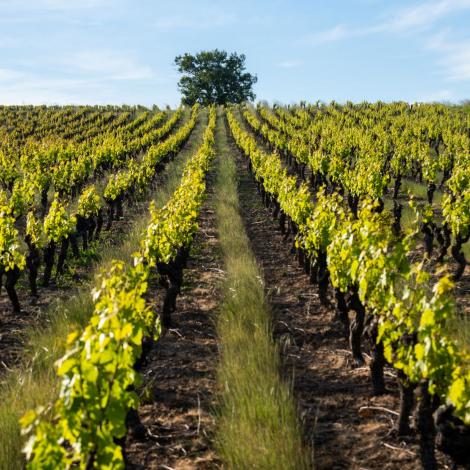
[214,77]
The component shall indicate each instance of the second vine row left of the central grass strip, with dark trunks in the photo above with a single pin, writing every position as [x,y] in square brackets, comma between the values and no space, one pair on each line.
[62,229]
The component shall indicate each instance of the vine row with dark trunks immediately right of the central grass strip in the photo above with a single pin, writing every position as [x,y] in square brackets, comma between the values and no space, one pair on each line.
[371,272]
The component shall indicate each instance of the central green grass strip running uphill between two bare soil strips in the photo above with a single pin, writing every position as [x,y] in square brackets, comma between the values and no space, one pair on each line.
[258,426]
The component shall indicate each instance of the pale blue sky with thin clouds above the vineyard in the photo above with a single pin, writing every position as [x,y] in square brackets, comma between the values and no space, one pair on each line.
[122,51]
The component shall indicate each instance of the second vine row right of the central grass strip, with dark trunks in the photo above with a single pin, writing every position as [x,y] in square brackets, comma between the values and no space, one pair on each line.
[367,170]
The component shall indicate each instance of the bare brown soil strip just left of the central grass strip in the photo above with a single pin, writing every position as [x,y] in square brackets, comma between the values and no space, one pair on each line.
[179,376]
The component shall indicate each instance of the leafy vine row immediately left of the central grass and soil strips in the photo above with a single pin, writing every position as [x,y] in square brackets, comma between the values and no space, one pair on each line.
[86,425]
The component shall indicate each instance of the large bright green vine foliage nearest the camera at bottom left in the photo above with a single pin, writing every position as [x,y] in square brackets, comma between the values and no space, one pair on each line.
[96,374]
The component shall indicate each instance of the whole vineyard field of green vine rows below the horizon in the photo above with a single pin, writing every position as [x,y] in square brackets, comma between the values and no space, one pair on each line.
[235,287]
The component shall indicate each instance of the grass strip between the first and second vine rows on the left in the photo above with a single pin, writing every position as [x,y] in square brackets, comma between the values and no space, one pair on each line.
[34,382]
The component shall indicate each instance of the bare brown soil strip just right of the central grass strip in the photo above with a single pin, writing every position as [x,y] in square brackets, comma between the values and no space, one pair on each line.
[330,394]
